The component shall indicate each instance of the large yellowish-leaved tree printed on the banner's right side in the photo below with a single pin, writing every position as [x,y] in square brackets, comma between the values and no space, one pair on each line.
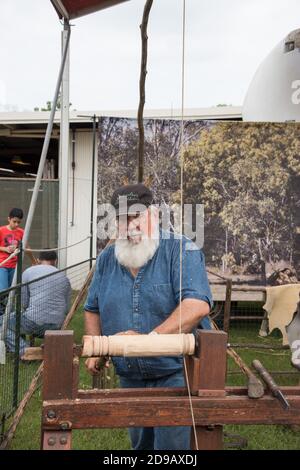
[244,174]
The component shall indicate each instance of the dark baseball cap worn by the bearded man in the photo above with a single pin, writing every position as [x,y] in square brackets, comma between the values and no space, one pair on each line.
[131,199]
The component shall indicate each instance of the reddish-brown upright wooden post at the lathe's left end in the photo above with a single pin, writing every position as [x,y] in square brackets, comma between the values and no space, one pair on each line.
[58,383]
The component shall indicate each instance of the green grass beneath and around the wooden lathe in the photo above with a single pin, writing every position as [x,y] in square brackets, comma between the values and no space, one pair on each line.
[259,437]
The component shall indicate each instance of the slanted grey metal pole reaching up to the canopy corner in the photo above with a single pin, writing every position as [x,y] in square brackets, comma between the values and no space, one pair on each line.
[37,184]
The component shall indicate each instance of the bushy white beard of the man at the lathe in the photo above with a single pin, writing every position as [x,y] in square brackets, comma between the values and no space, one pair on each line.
[137,255]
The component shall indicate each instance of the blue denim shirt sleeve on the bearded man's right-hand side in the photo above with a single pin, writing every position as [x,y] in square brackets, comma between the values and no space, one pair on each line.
[194,283]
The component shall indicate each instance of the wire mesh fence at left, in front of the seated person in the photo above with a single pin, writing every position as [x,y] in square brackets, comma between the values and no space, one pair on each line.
[39,303]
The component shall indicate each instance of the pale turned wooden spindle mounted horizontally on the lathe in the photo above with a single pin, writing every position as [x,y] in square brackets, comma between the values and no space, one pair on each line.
[139,345]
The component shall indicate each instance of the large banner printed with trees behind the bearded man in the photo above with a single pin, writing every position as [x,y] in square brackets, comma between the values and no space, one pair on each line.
[246,175]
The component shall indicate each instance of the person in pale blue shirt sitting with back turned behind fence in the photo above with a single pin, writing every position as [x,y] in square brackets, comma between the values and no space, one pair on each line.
[45,301]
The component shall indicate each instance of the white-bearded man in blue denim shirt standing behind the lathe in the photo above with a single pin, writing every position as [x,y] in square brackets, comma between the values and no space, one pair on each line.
[142,285]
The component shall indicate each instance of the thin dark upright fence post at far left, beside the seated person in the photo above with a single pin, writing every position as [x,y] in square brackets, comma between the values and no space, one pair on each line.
[17,327]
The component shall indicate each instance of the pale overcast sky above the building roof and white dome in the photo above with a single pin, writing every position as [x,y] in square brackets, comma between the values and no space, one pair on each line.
[225,42]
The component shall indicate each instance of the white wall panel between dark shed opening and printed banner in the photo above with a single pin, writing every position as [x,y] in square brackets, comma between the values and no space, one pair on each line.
[79,228]
